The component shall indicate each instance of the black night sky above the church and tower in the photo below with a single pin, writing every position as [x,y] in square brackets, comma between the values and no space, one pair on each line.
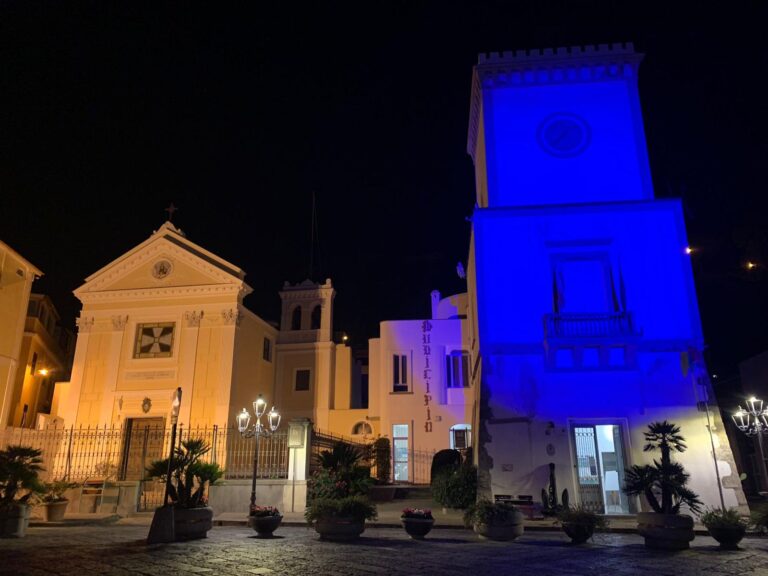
[238,113]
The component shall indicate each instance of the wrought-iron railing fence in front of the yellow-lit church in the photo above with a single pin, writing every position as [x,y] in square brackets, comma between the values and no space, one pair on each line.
[124,452]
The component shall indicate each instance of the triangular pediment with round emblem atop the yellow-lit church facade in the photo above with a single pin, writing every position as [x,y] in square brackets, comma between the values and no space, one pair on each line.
[165,260]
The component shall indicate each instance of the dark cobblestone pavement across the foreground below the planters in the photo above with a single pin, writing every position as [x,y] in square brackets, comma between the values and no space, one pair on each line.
[120,550]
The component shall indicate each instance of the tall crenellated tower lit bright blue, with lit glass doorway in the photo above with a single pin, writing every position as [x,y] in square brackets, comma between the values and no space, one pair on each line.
[585,324]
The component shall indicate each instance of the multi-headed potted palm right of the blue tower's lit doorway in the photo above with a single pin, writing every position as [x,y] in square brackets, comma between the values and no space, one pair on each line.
[664,486]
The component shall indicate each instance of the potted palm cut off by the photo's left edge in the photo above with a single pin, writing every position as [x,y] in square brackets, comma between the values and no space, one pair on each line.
[19,484]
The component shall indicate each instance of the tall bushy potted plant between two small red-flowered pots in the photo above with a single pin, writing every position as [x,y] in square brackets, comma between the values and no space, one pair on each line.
[338,505]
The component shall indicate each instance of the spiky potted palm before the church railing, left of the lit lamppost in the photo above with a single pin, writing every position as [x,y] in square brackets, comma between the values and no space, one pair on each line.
[190,477]
